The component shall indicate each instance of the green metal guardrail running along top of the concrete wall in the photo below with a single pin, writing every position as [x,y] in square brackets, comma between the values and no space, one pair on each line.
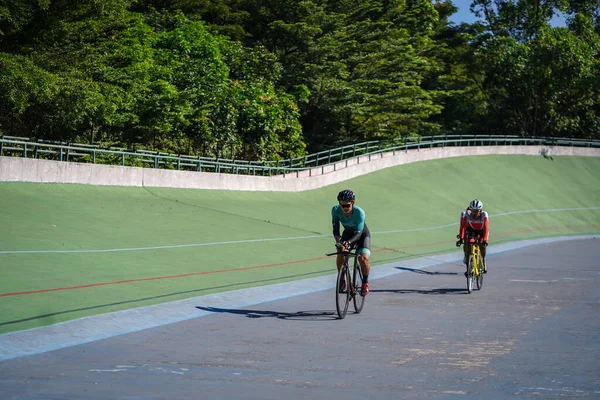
[26,147]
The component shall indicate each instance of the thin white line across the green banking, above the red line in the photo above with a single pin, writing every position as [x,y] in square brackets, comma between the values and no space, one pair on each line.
[179,246]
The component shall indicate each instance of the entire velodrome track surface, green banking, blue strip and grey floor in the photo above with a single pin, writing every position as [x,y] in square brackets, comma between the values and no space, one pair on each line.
[73,251]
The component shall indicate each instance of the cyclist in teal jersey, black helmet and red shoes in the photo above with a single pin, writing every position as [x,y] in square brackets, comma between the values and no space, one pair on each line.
[355,235]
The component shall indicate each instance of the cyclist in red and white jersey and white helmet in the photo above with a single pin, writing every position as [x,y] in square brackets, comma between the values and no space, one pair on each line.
[476,221]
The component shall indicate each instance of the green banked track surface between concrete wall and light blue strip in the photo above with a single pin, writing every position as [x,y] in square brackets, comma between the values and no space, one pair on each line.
[229,231]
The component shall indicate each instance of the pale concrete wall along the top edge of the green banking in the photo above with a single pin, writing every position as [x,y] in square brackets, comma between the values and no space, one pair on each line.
[14,169]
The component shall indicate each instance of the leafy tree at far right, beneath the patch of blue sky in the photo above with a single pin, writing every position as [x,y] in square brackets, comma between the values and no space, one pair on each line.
[540,80]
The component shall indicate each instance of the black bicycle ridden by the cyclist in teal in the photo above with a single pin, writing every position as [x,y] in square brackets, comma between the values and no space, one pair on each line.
[348,287]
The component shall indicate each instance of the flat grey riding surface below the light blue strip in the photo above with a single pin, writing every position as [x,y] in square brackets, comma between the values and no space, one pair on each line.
[532,332]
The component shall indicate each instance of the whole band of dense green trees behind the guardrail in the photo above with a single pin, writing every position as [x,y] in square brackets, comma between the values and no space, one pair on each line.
[271,79]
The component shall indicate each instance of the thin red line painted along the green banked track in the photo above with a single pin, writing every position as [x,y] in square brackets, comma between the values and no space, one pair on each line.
[272,265]
